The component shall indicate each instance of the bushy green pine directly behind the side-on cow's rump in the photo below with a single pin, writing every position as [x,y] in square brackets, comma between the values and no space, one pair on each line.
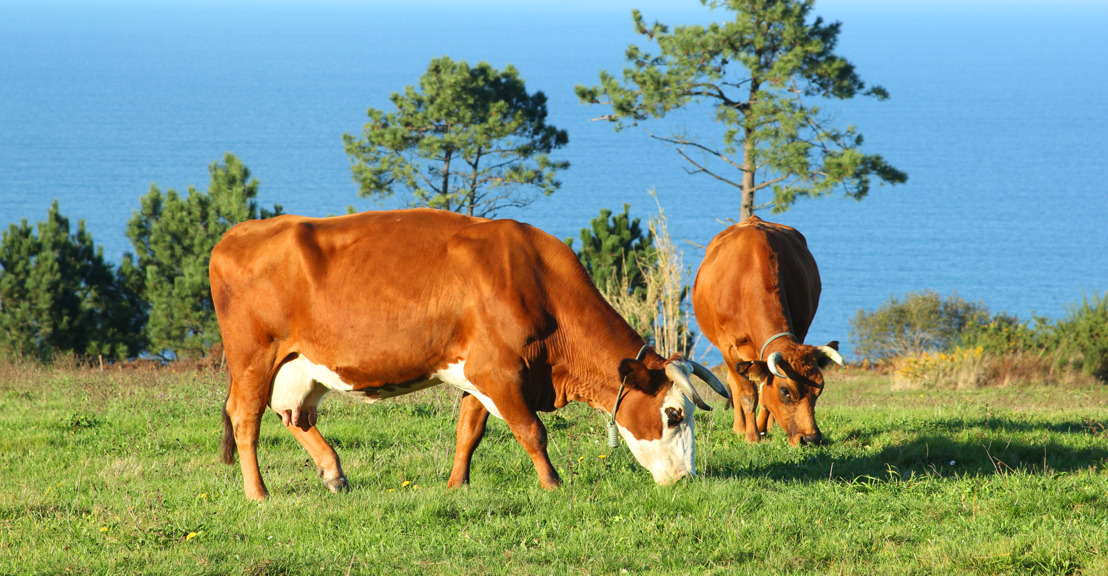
[173,238]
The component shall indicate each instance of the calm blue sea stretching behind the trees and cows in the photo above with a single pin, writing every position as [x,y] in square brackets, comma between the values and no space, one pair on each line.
[998,114]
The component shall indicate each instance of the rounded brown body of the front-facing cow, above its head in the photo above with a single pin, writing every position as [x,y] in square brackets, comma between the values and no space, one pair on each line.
[756,273]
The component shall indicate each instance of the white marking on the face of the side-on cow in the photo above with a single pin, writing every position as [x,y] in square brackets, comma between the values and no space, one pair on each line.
[673,457]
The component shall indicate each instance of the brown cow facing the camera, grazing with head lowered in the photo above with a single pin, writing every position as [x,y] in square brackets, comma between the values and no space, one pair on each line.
[755,297]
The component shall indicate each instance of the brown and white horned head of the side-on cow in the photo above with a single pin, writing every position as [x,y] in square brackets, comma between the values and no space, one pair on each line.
[655,417]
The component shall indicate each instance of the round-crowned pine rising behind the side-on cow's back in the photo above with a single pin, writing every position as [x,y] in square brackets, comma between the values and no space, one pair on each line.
[469,140]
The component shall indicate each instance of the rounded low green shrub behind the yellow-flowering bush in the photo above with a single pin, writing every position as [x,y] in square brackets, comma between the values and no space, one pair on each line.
[921,323]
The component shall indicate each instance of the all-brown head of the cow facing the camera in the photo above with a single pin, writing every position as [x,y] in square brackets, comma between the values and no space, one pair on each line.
[789,384]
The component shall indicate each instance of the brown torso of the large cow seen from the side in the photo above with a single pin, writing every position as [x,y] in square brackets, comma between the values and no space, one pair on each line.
[361,293]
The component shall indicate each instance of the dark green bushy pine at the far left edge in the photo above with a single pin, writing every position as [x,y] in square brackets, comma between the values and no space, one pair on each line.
[59,296]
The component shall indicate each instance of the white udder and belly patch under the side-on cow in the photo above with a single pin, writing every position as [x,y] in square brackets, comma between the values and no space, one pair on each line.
[301,384]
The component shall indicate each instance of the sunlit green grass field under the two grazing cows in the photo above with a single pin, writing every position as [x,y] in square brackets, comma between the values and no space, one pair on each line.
[119,474]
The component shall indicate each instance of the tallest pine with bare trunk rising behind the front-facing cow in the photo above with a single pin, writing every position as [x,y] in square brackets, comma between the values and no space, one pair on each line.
[764,74]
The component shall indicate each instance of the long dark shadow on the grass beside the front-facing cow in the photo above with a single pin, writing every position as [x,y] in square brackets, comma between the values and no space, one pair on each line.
[961,448]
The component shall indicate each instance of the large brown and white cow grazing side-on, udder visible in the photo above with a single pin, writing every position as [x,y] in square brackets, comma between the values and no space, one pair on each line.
[383,304]
